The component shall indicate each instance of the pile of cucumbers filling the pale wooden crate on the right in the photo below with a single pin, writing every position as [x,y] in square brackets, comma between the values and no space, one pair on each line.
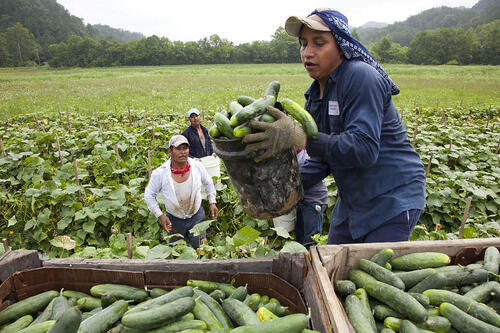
[421,292]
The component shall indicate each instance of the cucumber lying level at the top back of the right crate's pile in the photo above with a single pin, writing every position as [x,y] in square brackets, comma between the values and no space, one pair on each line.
[420,260]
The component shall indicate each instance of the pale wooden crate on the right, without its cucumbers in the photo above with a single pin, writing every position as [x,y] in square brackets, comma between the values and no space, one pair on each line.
[333,262]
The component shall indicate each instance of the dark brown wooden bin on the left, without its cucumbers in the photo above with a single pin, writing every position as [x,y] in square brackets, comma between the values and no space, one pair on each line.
[288,277]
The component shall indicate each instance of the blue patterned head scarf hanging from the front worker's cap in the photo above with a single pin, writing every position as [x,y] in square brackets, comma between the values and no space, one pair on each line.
[352,48]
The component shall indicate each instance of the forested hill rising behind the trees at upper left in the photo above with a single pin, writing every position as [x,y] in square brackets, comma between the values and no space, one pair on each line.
[51,23]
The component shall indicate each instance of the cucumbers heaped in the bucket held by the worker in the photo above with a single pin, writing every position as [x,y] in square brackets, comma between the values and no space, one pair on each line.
[233,124]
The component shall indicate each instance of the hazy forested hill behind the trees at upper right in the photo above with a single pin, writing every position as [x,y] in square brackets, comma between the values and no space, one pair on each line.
[484,11]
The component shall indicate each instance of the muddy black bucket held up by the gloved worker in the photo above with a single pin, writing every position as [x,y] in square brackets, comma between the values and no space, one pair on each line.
[267,189]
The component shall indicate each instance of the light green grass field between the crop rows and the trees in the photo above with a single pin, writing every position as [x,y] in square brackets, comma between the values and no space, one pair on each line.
[211,87]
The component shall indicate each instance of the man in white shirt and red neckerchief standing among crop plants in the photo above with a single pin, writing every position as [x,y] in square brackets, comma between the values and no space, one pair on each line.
[179,181]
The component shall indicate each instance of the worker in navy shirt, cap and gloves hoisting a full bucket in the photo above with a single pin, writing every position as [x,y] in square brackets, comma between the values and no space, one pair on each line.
[361,140]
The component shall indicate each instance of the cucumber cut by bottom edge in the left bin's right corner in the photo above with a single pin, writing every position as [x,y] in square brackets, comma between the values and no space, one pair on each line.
[294,323]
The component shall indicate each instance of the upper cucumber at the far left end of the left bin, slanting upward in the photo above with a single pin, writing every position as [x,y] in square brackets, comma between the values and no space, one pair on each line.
[26,306]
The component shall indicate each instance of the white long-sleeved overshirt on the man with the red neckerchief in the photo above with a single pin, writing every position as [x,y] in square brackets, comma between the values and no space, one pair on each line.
[161,182]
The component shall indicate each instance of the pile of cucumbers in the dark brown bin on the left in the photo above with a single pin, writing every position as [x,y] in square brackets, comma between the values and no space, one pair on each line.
[200,306]
